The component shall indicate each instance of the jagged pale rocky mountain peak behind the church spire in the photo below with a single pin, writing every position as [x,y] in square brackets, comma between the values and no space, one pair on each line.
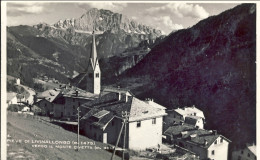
[104,20]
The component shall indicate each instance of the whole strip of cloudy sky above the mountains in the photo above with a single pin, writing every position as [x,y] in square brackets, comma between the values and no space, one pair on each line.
[166,16]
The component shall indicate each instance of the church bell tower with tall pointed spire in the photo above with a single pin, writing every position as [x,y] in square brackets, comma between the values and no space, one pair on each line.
[93,70]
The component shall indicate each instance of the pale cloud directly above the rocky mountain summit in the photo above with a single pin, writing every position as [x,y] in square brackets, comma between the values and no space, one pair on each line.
[116,7]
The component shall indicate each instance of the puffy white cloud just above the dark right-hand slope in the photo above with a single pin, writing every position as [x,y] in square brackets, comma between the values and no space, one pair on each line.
[180,10]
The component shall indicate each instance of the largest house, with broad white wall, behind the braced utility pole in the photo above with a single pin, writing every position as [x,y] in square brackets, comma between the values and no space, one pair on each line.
[104,119]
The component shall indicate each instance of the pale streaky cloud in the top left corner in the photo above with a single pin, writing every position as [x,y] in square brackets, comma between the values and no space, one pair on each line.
[16,9]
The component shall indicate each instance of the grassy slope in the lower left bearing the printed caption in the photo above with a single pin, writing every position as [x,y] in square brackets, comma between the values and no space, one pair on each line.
[23,131]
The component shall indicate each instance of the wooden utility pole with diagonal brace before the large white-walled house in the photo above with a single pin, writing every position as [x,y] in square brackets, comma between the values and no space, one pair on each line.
[125,116]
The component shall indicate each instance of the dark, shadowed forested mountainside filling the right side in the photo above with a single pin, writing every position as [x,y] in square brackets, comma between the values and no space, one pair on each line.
[211,65]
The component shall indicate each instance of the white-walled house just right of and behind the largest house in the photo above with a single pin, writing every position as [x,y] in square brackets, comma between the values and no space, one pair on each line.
[190,115]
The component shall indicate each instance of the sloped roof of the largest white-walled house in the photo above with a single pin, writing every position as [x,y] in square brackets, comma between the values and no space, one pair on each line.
[137,109]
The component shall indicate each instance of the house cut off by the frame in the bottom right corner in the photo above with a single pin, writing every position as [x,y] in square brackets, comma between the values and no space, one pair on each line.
[247,153]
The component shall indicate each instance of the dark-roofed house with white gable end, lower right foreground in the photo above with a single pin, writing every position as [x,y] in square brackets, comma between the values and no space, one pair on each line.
[206,144]
